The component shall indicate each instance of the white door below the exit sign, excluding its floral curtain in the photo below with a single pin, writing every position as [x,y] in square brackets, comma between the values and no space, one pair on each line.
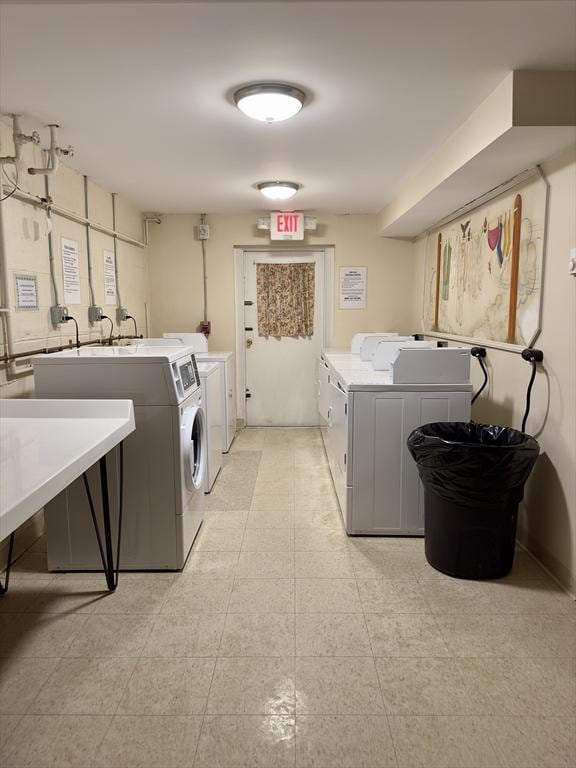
[280,372]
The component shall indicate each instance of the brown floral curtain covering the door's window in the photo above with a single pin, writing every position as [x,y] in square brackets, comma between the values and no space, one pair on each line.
[285,296]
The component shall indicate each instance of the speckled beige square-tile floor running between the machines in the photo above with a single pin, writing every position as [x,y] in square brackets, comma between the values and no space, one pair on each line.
[285,643]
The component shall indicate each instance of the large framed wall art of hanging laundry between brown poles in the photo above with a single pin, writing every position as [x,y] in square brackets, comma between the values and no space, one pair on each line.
[483,277]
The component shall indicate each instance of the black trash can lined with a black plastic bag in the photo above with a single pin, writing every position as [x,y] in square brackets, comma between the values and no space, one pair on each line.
[473,477]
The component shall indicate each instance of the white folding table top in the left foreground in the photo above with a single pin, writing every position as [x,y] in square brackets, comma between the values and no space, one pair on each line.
[46,444]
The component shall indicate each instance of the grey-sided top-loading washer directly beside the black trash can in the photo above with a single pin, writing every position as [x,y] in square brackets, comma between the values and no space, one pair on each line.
[365,434]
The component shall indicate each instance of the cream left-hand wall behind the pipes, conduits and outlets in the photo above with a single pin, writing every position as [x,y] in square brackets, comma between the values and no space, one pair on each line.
[26,247]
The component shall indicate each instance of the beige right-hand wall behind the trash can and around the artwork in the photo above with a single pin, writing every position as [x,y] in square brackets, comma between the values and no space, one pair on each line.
[548,517]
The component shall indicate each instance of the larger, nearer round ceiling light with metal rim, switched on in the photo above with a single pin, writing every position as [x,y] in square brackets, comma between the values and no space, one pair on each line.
[269,102]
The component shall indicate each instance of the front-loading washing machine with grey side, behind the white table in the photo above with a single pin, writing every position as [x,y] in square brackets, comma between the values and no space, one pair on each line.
[165,458]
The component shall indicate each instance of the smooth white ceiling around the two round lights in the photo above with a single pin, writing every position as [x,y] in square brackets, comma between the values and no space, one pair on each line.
[142,90]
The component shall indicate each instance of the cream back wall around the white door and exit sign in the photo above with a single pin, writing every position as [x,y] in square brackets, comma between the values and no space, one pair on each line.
[176,273]
